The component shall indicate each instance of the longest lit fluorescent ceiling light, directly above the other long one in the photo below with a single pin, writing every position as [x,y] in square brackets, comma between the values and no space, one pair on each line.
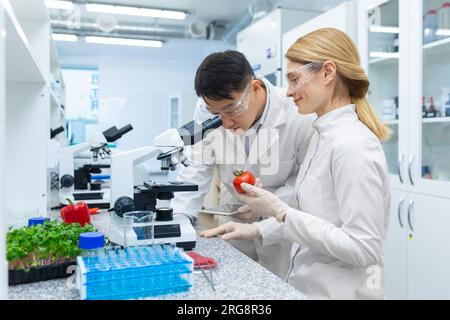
[135,11]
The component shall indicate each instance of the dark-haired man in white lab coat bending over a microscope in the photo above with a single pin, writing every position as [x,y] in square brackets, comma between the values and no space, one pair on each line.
[262,133]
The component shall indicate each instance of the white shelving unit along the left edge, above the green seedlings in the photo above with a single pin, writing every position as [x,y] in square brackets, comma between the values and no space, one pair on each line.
[33,105]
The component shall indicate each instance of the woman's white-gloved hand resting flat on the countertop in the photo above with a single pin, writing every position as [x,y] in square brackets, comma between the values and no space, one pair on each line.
[234,231]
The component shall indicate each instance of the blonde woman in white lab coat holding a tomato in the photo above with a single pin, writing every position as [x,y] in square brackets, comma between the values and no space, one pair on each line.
[342,188]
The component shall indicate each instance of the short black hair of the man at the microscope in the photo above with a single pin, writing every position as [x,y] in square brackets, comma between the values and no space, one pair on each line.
[221,74]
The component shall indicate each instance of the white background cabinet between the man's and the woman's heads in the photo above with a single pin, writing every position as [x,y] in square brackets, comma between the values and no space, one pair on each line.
[262,42]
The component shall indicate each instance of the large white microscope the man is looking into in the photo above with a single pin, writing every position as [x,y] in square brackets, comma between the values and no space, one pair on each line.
[153,198]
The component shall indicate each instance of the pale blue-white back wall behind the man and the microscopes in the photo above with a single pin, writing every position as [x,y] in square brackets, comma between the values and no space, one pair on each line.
[136,83]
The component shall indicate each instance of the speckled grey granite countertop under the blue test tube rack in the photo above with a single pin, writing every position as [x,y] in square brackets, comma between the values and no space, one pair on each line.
[236,277]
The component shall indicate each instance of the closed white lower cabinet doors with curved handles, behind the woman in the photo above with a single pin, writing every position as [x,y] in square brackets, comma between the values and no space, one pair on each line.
[416,259]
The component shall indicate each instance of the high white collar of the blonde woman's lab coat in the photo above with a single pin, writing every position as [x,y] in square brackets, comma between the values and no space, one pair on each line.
[335,118]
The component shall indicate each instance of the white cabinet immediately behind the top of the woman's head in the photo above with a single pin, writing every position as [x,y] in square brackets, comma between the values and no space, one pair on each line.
[342,17]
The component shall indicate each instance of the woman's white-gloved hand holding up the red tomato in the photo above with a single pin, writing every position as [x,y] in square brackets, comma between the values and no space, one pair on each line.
[260,200]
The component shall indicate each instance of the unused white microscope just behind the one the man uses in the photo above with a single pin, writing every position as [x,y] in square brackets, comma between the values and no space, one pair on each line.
[78,182]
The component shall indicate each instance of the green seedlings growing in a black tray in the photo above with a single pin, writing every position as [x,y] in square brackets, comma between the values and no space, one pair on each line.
[44,251]
